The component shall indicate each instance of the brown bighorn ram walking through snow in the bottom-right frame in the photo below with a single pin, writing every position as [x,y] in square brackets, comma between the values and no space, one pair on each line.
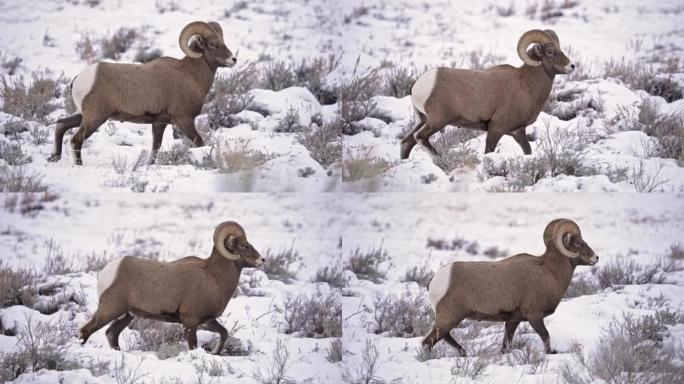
[519,288]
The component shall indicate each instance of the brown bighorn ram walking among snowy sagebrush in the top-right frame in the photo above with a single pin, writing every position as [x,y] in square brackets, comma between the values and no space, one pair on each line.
[501,100]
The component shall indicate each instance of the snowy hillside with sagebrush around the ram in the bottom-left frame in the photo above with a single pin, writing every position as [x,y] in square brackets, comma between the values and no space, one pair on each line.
[57,269]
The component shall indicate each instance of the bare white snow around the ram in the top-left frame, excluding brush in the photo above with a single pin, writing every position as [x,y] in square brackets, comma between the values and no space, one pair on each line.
[44,35]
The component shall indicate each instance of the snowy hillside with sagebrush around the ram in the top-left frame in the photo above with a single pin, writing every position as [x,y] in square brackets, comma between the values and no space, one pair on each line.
[273,145]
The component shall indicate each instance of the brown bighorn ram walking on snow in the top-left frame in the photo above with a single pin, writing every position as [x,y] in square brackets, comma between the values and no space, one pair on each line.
[162,91]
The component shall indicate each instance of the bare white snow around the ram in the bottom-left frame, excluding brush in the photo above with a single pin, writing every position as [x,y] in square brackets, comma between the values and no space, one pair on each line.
[112,225]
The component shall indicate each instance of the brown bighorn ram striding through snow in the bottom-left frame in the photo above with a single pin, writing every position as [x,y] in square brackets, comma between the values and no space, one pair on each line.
[190,291]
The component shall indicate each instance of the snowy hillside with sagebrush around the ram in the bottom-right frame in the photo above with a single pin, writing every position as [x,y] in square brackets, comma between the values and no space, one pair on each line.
[386,312]
